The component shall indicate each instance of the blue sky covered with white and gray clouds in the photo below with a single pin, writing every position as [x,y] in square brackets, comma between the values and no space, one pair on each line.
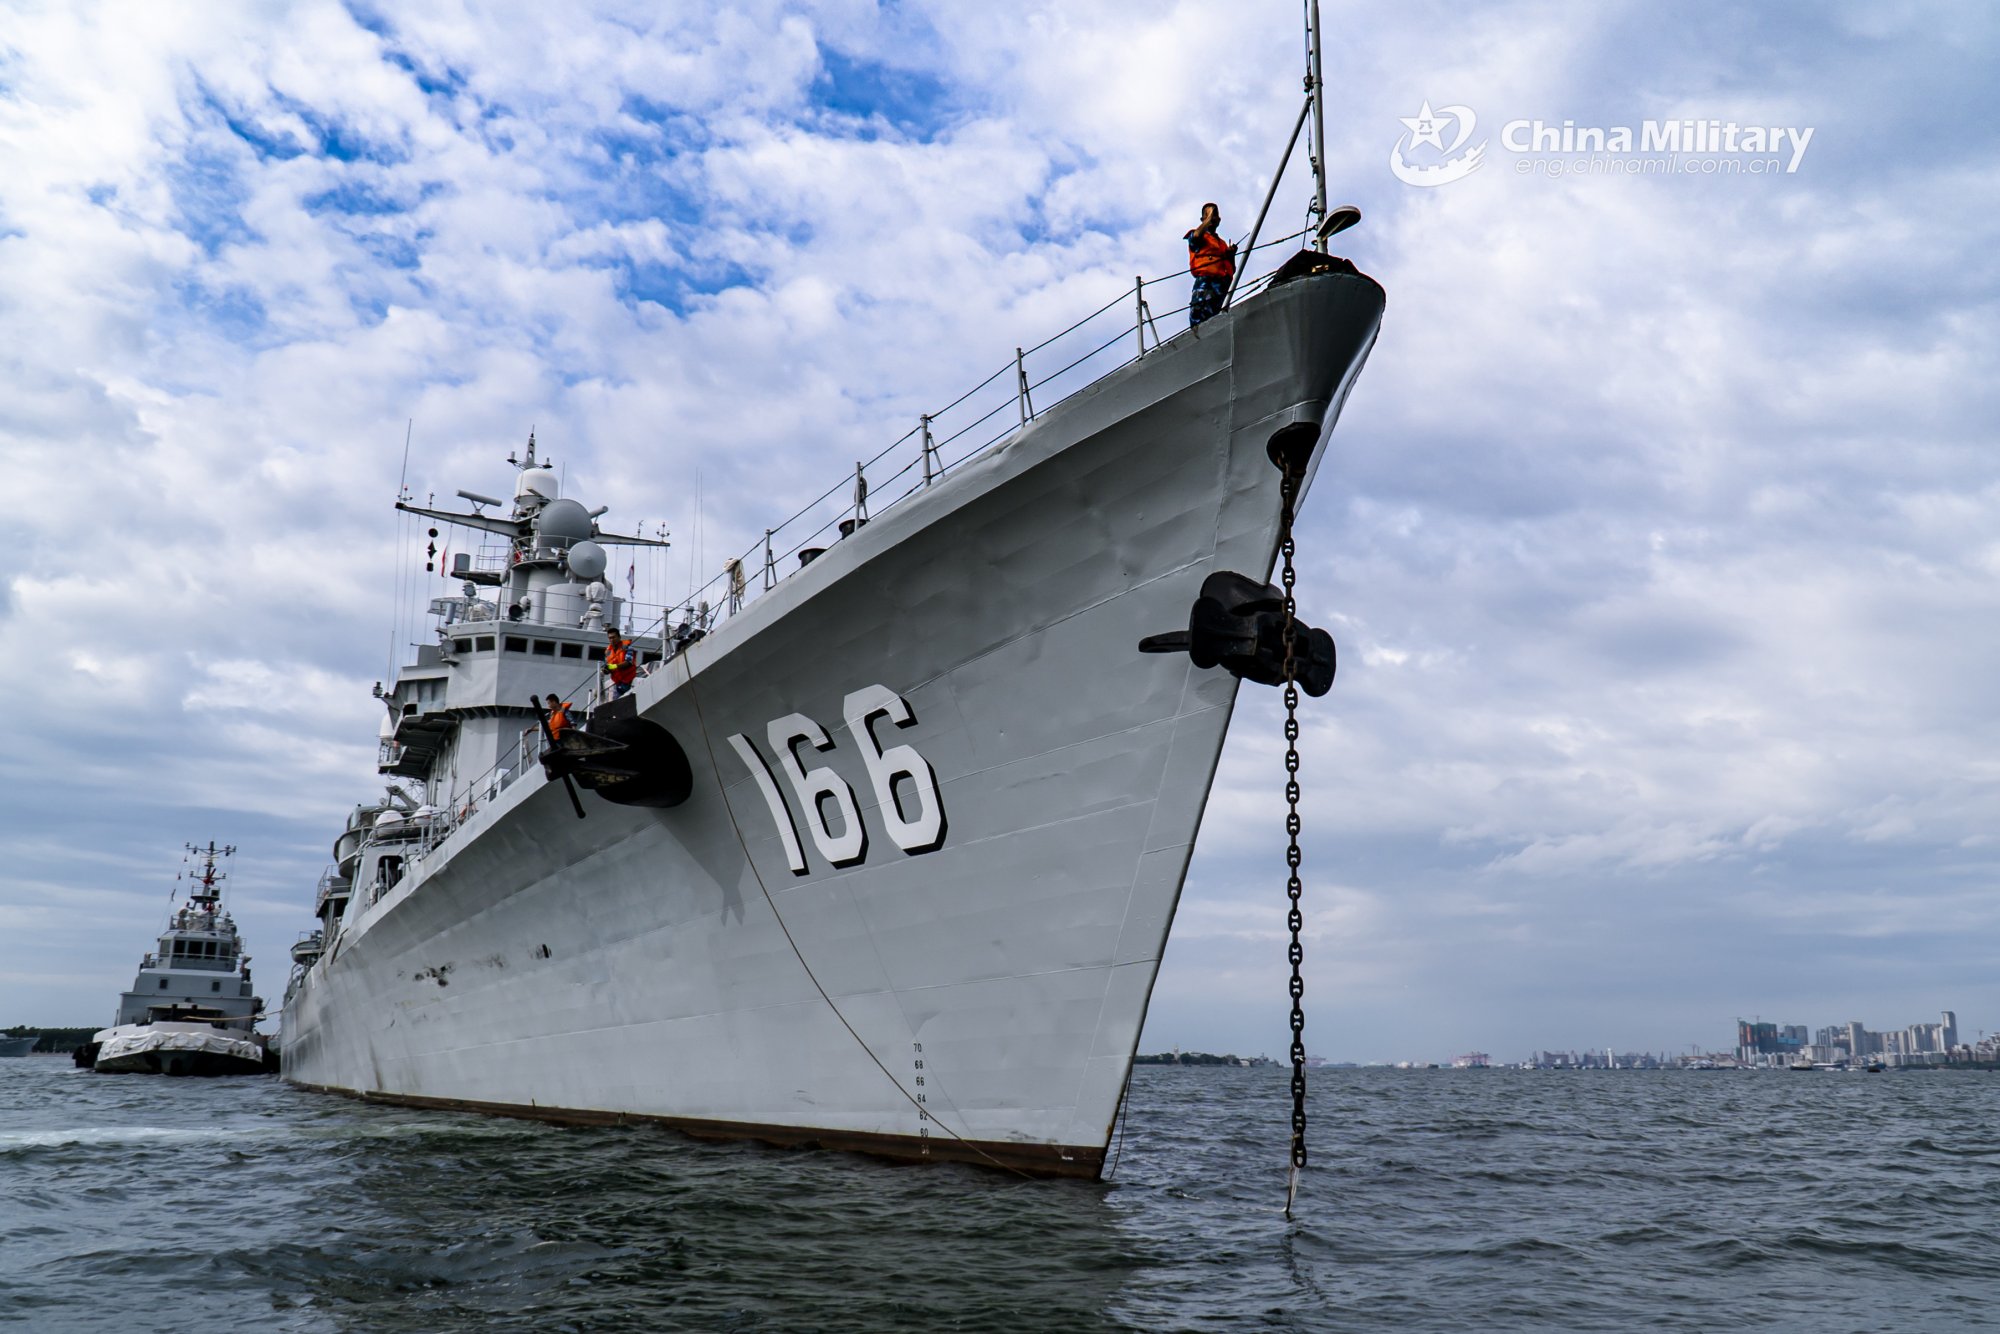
[1661,537]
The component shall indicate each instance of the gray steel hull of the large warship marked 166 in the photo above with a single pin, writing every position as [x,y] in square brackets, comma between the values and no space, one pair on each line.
[955,959]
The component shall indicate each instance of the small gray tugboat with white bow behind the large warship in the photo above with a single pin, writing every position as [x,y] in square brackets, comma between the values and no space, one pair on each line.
[191,1011]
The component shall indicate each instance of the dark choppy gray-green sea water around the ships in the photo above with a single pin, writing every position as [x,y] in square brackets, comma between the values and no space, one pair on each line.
[1437,1201]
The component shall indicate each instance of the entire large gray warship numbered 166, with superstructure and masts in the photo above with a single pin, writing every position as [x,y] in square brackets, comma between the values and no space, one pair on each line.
[879,855]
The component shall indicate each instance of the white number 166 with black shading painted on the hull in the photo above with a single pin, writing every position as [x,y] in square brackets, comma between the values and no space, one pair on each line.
[825,799]
